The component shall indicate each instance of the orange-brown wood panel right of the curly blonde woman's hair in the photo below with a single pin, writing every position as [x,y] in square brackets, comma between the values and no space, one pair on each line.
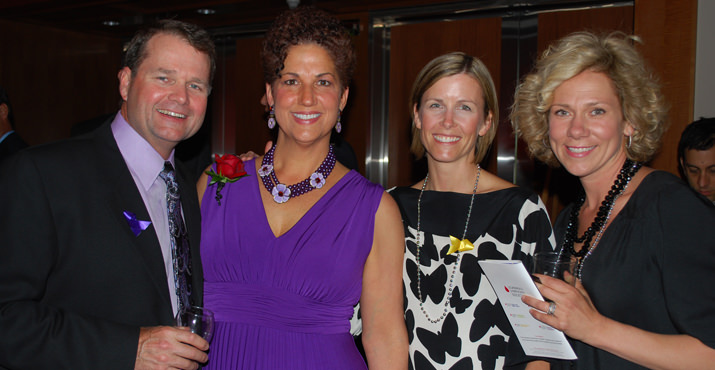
[669,30]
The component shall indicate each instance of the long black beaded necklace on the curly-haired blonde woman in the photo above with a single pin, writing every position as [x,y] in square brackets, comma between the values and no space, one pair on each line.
[629,169]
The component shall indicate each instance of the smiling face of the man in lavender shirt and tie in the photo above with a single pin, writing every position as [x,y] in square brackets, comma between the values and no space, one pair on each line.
[165,100]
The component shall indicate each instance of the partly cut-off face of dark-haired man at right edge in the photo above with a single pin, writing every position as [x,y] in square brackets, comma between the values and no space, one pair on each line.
[699,168]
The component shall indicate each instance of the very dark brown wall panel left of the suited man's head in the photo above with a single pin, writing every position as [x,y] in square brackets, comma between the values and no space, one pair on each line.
[57,78]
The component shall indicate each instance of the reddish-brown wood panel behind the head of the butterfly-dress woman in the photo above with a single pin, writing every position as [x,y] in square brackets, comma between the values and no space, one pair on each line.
[412,46]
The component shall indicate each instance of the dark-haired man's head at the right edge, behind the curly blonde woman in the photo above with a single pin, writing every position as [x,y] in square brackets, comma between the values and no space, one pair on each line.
[696,156]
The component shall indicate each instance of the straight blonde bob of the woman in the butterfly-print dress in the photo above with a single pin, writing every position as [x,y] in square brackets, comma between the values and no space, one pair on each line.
[449,65]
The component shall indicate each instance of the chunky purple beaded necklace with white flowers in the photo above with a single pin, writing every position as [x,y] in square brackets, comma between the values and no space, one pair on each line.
[281,192]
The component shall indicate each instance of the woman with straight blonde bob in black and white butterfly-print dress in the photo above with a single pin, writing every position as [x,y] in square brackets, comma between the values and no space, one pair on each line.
[460,214]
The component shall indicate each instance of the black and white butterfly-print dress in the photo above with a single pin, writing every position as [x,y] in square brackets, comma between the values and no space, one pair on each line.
[505,224]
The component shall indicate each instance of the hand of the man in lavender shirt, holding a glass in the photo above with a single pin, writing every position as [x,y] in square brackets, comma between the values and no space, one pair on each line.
[165,347]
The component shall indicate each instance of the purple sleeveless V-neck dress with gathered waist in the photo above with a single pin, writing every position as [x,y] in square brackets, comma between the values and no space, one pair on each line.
[285,302]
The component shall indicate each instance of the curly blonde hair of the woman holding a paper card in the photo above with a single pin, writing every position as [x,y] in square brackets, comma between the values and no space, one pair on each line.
[614,55]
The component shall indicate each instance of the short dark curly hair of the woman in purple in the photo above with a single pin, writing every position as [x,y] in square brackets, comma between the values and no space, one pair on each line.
[307,25]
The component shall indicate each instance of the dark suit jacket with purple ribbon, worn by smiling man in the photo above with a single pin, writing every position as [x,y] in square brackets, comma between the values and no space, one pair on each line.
[75,283]
